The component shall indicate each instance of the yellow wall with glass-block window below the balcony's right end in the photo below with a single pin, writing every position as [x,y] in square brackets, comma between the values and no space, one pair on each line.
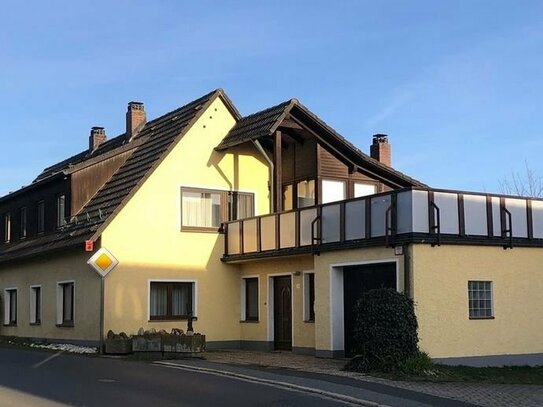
[440,284]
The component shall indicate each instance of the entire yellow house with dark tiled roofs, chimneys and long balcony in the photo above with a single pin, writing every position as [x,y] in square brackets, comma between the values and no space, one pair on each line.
[267,228]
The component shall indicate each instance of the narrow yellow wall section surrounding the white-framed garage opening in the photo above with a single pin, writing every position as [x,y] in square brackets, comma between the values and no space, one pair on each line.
[323,264]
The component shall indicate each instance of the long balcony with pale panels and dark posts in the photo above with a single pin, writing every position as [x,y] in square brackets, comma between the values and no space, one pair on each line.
[394,218]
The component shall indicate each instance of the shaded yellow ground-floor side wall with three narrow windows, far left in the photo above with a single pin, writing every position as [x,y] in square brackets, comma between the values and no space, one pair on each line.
[48,272]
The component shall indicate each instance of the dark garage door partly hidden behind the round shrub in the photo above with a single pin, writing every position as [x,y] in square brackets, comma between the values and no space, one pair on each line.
[356,281]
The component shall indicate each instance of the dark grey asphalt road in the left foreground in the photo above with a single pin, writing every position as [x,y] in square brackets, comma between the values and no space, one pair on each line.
[32,378]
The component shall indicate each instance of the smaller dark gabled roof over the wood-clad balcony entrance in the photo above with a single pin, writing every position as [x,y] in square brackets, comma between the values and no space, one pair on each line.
[265,122]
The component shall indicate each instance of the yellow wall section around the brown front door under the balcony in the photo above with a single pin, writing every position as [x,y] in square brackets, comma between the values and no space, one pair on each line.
[304,332]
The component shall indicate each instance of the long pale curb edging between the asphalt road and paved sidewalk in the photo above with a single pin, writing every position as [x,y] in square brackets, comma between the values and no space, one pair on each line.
[286,385]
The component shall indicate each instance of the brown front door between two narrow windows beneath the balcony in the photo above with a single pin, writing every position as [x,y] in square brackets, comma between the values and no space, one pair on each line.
[282,313]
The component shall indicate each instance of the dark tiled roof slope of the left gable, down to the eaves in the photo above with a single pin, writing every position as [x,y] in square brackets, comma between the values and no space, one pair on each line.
[155,139]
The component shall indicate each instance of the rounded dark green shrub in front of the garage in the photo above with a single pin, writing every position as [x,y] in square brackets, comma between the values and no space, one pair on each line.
[385,331]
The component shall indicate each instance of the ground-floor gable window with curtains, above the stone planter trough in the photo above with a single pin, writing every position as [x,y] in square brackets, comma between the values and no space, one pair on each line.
[171,300]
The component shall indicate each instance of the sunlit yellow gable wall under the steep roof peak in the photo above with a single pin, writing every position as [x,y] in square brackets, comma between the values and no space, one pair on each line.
[146,239]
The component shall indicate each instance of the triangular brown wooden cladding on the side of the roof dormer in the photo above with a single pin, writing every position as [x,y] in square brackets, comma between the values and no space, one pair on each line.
[88,180]
